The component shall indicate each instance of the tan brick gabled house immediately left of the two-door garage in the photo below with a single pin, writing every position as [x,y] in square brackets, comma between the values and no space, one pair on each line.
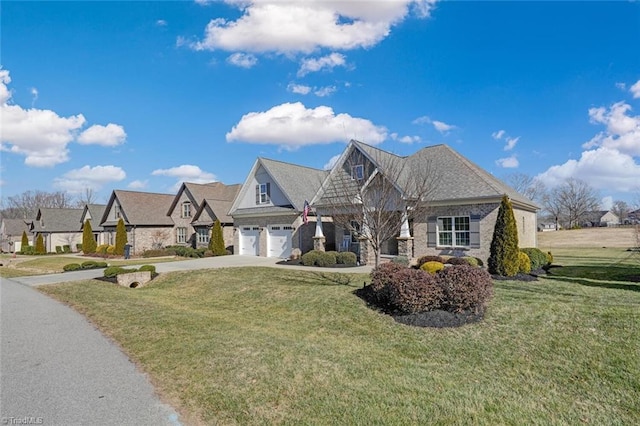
[192,223]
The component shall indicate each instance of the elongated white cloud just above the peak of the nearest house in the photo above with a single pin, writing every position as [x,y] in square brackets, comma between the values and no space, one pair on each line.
[292,125]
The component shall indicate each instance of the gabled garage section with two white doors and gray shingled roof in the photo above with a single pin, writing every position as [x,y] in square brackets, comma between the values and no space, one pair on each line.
[268,211]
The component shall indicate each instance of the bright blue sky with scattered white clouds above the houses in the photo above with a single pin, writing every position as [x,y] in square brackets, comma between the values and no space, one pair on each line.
[145,95]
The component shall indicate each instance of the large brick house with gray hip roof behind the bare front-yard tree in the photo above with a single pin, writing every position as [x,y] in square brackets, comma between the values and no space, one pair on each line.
[463,205]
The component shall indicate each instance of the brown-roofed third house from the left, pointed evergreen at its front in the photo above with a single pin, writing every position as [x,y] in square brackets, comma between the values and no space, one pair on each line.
[145,218]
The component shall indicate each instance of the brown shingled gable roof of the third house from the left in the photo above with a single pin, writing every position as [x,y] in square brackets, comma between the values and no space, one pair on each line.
[140,208]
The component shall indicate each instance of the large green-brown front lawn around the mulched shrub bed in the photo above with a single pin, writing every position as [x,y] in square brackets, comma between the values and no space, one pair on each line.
[266,345]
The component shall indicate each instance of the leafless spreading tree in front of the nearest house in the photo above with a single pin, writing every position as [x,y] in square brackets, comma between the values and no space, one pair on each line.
[374,195]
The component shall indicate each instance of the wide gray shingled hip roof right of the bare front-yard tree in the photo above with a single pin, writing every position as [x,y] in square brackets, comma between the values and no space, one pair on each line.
[456,178]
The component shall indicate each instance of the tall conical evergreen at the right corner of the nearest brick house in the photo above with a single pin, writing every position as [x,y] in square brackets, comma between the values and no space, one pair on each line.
[503,256]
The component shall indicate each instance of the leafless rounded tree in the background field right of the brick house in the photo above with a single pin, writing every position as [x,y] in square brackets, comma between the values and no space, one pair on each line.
[571,202]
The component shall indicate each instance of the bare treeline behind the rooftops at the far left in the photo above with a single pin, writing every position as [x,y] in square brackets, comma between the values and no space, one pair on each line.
[26,204]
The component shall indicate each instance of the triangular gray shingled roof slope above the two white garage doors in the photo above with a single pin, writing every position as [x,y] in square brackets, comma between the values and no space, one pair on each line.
[298,183]
